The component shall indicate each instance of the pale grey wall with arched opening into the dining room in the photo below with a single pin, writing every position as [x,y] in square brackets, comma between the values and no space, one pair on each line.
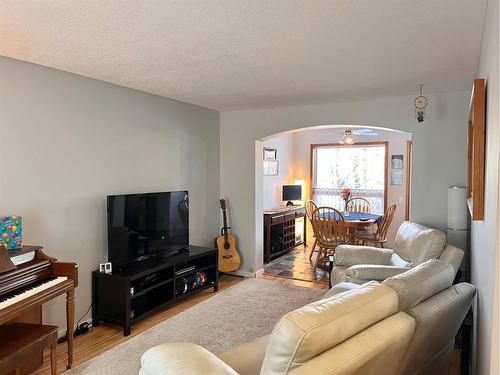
[439,154]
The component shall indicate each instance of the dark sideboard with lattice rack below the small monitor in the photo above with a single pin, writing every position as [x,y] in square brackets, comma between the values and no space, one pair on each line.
[279,231]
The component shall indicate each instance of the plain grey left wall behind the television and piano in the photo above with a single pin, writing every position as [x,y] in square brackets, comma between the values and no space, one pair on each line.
[68,141]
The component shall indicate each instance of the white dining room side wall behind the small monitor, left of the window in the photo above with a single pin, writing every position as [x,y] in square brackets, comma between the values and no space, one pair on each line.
[272,184]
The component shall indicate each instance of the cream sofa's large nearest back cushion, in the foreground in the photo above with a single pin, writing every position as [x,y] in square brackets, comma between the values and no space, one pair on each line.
[312,329]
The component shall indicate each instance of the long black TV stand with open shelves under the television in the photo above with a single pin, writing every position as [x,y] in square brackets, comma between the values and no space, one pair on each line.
[136,292]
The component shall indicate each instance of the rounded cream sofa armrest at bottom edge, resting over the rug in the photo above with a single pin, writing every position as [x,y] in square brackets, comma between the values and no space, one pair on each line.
[182,358]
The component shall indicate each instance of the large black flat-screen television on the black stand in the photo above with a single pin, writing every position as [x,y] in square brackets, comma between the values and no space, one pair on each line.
[141,226]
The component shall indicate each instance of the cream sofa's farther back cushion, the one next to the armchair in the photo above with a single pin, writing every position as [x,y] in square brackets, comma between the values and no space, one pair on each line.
[421,282]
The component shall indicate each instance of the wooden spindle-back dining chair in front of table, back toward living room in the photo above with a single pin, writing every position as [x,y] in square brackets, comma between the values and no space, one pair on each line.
[331,231]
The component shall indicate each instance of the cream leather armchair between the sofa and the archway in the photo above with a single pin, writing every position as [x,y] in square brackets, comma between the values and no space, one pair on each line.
[414,245]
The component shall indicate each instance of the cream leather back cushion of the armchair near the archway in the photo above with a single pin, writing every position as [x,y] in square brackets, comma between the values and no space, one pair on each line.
[416,243]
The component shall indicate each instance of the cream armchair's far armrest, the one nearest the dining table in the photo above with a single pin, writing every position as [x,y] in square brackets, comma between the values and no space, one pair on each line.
[350,255]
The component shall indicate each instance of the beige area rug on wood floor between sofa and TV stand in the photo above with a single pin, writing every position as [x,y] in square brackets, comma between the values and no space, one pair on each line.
[236,315]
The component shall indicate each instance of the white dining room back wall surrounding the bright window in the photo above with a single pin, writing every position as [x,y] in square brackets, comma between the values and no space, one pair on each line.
[397,145]
